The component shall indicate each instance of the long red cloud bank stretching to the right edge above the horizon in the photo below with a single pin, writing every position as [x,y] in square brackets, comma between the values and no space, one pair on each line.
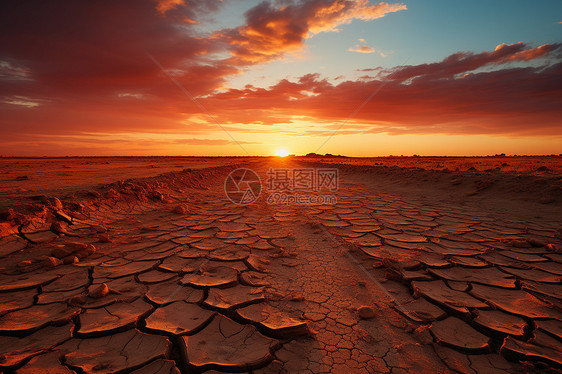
[516,100]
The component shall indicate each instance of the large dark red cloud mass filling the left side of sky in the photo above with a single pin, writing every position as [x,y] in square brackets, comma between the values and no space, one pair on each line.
[84,66]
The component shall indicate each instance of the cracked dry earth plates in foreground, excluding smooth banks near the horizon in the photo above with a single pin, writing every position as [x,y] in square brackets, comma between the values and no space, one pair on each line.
[377,283]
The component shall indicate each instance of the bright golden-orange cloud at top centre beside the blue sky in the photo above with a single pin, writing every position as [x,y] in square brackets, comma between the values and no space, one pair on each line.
[272,31]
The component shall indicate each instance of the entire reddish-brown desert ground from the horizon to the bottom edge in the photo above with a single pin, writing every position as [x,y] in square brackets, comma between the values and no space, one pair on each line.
[148,265]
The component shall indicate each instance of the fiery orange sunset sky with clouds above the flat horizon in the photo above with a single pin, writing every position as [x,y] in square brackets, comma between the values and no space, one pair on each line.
[117,78]
